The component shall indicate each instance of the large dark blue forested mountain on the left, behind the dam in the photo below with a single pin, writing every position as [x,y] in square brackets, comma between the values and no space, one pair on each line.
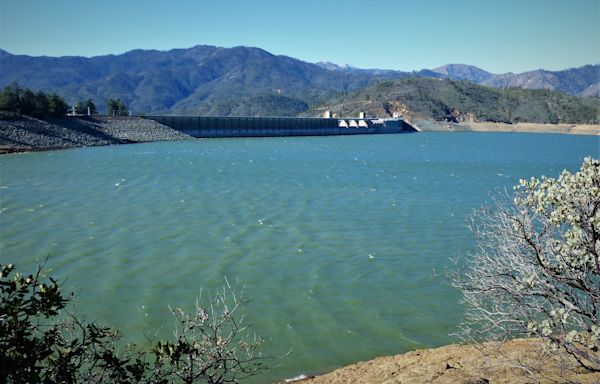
[183,81]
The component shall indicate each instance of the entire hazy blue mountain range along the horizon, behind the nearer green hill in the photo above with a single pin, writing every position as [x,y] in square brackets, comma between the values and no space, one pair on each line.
[208,80]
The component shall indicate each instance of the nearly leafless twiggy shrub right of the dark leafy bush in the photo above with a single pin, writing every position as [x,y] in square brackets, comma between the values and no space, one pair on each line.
[213,344]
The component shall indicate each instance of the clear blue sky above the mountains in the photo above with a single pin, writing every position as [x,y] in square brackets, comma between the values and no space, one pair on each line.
[499,36]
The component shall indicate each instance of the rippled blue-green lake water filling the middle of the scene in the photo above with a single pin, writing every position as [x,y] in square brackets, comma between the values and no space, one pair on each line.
[342,243]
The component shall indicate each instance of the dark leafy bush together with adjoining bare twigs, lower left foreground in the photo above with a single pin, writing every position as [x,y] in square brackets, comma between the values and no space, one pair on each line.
[41,344]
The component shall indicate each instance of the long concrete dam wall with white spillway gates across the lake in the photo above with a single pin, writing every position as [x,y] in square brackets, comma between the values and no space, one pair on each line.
[198,126]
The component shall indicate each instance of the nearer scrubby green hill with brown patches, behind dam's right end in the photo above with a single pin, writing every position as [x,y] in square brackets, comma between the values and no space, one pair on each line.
[456,101]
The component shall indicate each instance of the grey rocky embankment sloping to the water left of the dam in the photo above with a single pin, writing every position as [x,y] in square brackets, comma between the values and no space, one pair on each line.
[29,134]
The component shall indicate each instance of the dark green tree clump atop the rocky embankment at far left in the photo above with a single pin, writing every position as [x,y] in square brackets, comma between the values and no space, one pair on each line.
[18,101]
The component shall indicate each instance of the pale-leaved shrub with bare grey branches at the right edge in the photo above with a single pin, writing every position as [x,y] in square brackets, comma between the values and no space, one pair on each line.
[536,271]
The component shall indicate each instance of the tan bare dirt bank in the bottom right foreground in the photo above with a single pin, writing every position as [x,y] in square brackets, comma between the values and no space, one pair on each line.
[517,361]
